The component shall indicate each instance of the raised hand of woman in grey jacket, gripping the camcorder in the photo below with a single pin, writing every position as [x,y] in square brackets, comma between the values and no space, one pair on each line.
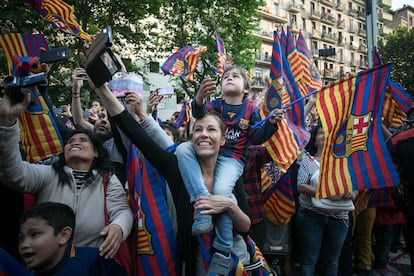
[10,110]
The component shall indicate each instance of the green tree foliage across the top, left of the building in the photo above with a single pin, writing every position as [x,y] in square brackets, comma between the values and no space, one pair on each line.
[138,36]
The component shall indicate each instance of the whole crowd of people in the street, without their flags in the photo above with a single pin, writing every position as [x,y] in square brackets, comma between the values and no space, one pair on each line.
[83,211]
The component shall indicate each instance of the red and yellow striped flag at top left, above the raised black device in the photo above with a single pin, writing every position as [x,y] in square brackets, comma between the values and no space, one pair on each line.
[60,15]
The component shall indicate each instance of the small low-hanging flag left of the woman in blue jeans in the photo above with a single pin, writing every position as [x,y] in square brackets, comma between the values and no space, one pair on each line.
[279,203]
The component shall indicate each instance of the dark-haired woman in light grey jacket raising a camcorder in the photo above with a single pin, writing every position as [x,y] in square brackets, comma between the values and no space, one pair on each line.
[76,180]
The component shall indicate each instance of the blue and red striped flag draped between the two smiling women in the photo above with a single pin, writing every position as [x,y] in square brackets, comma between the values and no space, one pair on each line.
[156,244]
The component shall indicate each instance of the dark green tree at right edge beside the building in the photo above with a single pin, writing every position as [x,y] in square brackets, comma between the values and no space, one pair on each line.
[399,49]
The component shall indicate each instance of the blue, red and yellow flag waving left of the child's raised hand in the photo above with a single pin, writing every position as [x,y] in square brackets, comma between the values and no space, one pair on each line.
[183,62]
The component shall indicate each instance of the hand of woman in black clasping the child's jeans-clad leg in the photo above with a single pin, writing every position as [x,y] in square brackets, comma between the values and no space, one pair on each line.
[213,204]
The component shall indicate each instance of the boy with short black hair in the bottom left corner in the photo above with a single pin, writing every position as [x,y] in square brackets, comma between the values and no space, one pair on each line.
[46,233]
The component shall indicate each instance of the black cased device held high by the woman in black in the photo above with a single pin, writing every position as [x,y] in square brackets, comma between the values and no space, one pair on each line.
[101,63]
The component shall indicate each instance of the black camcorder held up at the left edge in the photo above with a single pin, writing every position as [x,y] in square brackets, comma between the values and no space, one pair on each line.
[18,87]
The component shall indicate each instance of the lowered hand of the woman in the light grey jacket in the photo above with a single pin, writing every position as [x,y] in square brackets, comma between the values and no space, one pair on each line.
[113,239]
